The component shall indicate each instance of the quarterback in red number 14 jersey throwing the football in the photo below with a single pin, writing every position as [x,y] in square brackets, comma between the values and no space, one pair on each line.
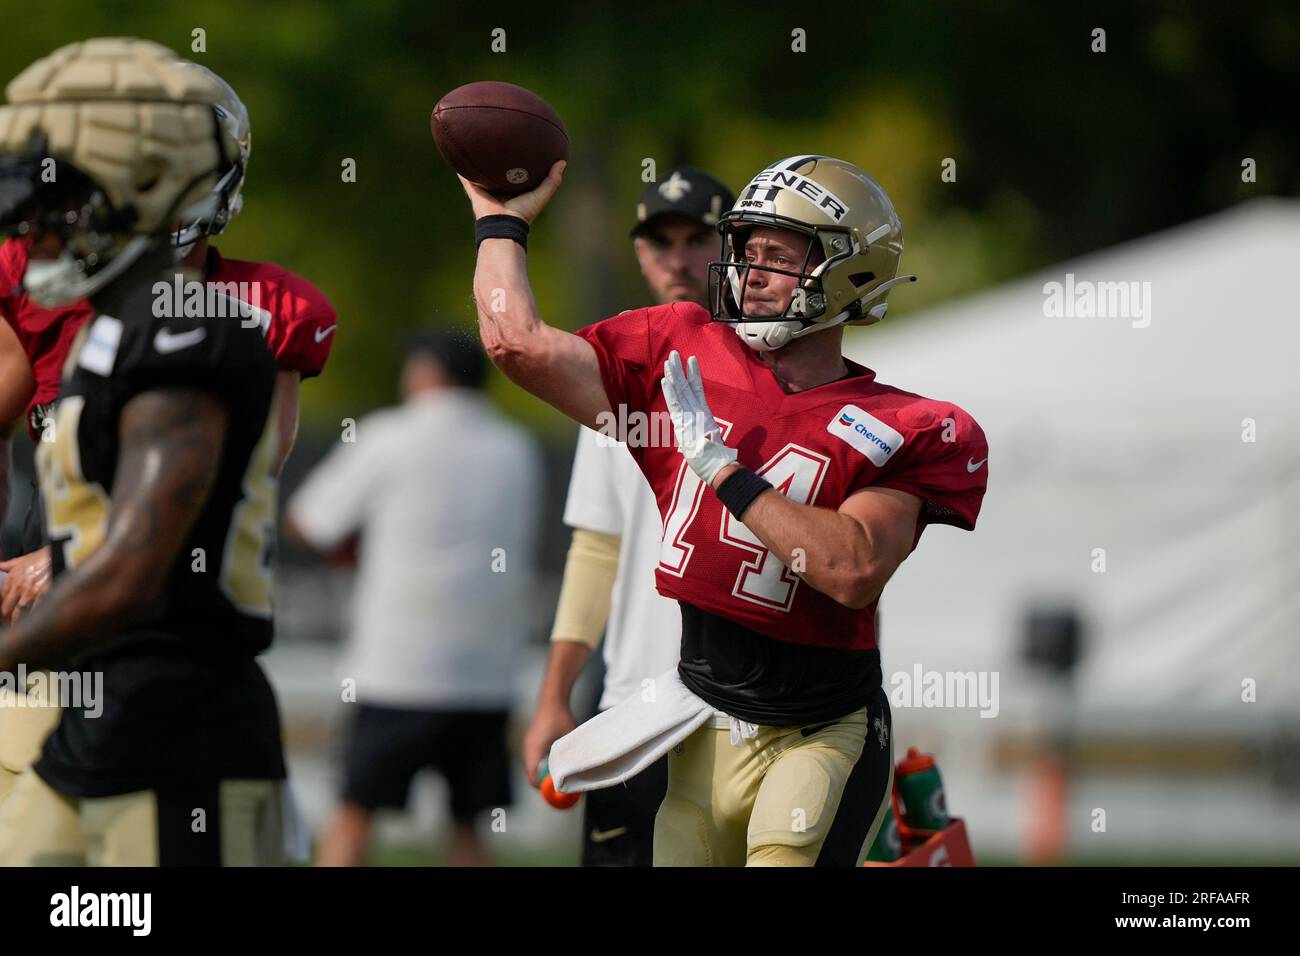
[791,483]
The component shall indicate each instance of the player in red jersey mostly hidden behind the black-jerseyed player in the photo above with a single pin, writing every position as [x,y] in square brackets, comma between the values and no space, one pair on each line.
[300,327]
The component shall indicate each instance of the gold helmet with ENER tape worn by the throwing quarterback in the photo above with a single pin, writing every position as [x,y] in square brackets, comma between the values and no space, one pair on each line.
[856,241]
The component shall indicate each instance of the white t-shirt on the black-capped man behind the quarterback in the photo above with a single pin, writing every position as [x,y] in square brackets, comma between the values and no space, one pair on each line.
[609,495]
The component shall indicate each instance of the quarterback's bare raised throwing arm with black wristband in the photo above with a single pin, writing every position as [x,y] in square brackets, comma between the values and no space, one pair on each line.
[557,366]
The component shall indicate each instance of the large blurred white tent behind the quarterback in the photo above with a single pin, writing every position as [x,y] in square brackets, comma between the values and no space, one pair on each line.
[1128,434]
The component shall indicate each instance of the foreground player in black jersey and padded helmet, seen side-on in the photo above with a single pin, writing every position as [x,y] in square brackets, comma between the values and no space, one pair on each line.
[159,483]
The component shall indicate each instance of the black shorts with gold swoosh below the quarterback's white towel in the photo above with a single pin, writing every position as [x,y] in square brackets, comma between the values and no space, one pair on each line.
[618,823]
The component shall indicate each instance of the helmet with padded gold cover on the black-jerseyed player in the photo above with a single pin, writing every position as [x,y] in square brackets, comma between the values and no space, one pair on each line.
[107,145]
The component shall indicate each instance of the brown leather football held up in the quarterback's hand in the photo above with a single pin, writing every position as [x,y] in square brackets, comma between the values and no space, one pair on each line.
[499,136]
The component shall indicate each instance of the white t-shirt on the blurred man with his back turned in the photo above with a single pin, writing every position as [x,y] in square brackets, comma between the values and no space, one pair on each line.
[445,496]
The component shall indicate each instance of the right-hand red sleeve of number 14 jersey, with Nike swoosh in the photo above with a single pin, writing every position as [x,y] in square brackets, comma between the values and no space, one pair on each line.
[944,462]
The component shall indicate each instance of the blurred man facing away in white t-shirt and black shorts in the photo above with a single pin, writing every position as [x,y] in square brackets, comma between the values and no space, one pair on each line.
[443,495]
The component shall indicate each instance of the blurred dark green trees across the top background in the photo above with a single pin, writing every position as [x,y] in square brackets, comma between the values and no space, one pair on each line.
[1059,150]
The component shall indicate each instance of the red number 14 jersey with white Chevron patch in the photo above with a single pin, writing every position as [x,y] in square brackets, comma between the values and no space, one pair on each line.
[817,447]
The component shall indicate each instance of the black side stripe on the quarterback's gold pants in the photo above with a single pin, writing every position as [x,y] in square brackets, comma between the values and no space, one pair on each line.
[866,793]
